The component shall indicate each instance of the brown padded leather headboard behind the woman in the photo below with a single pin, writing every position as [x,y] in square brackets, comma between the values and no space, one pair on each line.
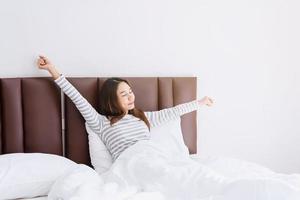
[31,117]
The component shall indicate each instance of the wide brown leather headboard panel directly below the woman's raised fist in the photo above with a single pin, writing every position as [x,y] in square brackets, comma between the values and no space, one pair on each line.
[41,116]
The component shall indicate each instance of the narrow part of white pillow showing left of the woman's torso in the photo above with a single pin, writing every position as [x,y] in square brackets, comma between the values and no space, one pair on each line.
[100,157]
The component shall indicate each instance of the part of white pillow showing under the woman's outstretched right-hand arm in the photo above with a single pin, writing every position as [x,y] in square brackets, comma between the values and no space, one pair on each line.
[169,137]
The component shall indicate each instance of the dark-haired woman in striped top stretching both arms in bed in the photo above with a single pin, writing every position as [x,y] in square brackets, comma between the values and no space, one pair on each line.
[119,123]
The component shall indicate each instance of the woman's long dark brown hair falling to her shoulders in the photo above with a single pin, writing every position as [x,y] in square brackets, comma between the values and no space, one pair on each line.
[109,105]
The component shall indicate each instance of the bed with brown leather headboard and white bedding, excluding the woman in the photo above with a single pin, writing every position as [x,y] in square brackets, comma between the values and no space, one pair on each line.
[39,121]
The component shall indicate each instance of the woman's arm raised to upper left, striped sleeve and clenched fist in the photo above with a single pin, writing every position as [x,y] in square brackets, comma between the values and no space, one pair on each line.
[91,116]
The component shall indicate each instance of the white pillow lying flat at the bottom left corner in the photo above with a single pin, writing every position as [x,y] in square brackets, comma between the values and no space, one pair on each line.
[26,175]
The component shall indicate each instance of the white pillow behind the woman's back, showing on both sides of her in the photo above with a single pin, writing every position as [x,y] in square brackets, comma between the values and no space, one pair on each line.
[167,135]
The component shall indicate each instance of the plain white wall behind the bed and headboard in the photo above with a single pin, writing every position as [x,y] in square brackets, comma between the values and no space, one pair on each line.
[245,53]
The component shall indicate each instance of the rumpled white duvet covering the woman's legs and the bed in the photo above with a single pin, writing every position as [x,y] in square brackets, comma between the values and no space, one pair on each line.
[143,171]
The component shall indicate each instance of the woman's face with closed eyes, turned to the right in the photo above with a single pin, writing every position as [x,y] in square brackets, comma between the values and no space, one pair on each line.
[125,96]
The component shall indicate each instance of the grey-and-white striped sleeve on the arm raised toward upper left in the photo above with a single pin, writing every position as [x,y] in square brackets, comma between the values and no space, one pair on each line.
[91,116]
